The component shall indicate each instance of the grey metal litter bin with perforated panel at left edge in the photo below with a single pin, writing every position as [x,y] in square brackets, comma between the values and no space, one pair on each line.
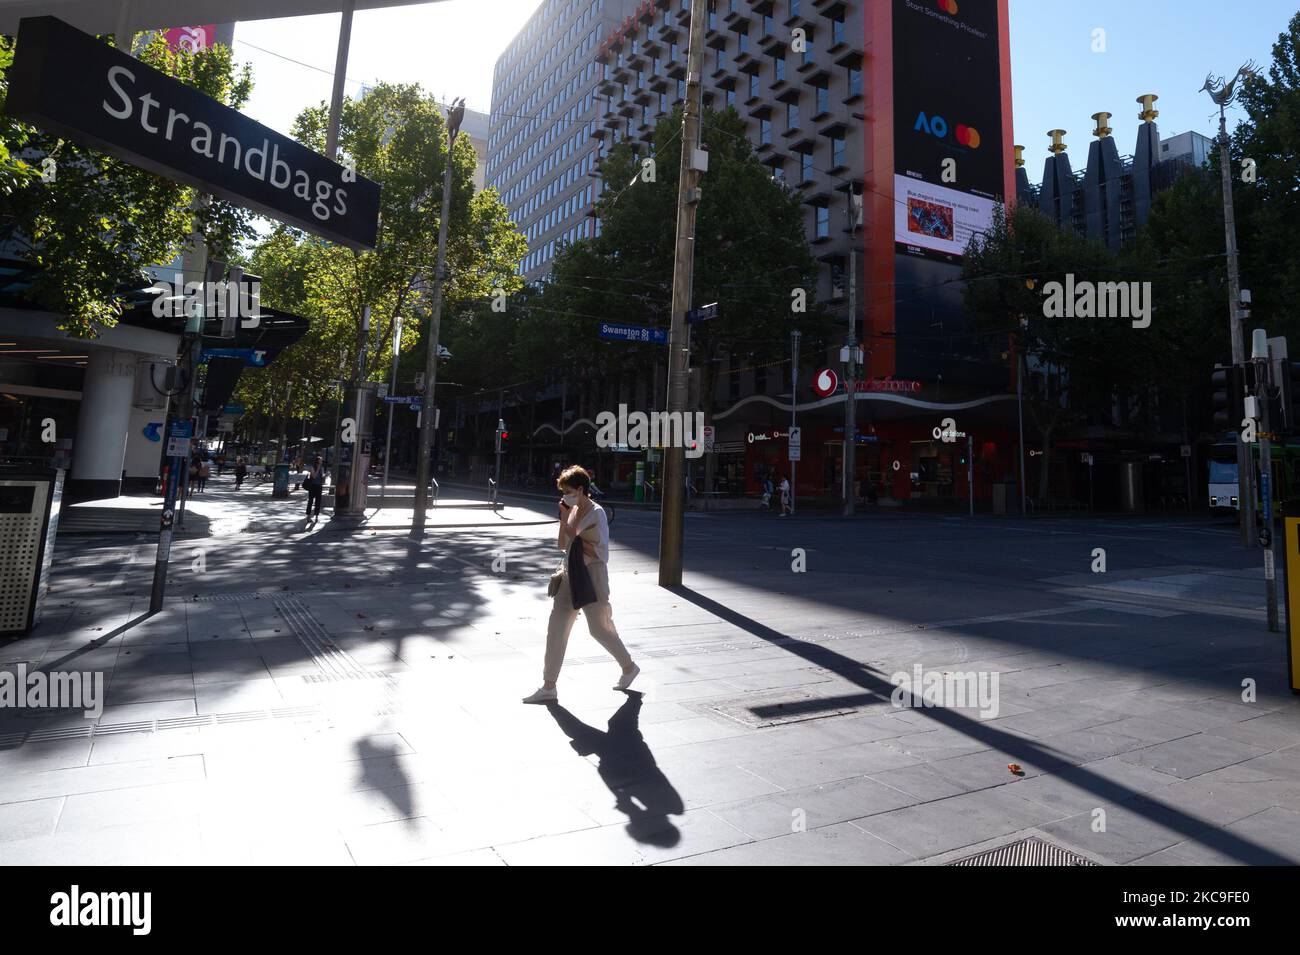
[29,520]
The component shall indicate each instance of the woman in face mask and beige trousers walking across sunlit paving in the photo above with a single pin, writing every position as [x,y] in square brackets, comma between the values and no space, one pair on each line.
[584,584]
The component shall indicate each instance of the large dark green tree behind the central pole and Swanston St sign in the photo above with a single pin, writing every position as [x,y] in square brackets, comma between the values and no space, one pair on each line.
[751,253]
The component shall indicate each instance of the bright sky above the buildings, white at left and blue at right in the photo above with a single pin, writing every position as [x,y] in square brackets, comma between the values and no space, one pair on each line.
[1164,47]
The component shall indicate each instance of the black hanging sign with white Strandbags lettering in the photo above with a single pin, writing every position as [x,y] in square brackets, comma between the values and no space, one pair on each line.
[79,88]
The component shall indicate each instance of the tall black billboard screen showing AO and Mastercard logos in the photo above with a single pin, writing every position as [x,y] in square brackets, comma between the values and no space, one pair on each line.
[948,124]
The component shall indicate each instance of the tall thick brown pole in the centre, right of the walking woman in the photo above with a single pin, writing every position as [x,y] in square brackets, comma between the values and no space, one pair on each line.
[671,515]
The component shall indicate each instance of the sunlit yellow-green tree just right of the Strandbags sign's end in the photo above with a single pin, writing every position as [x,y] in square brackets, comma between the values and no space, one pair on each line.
[397,137]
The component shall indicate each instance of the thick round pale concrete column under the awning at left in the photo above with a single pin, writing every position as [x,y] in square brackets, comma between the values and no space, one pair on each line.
[99,446]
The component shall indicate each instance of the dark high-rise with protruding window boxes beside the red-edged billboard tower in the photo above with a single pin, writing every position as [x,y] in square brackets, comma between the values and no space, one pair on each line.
[792,70]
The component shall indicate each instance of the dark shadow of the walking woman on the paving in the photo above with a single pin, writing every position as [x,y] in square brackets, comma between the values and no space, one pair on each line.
[642,792]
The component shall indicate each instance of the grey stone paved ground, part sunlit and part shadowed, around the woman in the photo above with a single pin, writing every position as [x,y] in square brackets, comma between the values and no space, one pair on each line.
[315,694]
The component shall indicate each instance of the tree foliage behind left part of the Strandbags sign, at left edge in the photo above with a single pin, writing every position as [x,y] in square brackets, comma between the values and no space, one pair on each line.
[90,224]
